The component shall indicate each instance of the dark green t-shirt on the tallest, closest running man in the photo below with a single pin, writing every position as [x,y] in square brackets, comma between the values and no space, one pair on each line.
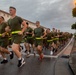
[15,23]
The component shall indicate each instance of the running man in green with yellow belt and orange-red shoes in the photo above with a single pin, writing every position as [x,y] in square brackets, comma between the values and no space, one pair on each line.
[38,34]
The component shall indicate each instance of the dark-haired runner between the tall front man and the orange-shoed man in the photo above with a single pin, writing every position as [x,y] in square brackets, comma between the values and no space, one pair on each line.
[29,39]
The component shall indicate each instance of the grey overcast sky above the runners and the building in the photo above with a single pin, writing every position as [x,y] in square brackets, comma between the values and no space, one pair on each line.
[51,13]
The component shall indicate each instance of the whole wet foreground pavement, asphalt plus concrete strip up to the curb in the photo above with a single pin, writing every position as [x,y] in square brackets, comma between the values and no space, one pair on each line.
[49,66]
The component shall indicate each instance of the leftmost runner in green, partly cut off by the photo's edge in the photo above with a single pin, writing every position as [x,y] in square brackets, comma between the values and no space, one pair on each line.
[4,41]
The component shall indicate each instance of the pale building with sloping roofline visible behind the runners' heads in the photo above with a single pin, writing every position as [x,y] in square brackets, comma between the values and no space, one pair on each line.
[6,15]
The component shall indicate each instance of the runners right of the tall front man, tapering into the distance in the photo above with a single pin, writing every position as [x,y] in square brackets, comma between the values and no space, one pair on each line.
[40,39]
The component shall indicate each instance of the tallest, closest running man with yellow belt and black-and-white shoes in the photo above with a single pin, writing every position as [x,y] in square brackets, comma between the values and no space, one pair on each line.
[15,26]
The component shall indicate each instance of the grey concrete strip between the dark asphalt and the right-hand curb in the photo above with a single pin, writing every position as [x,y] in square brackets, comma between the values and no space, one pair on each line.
[62,67]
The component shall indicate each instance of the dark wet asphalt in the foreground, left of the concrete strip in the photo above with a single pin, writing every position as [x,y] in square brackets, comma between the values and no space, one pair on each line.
[32,67]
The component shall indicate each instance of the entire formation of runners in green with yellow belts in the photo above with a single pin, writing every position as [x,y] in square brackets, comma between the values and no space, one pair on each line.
[16,29]
